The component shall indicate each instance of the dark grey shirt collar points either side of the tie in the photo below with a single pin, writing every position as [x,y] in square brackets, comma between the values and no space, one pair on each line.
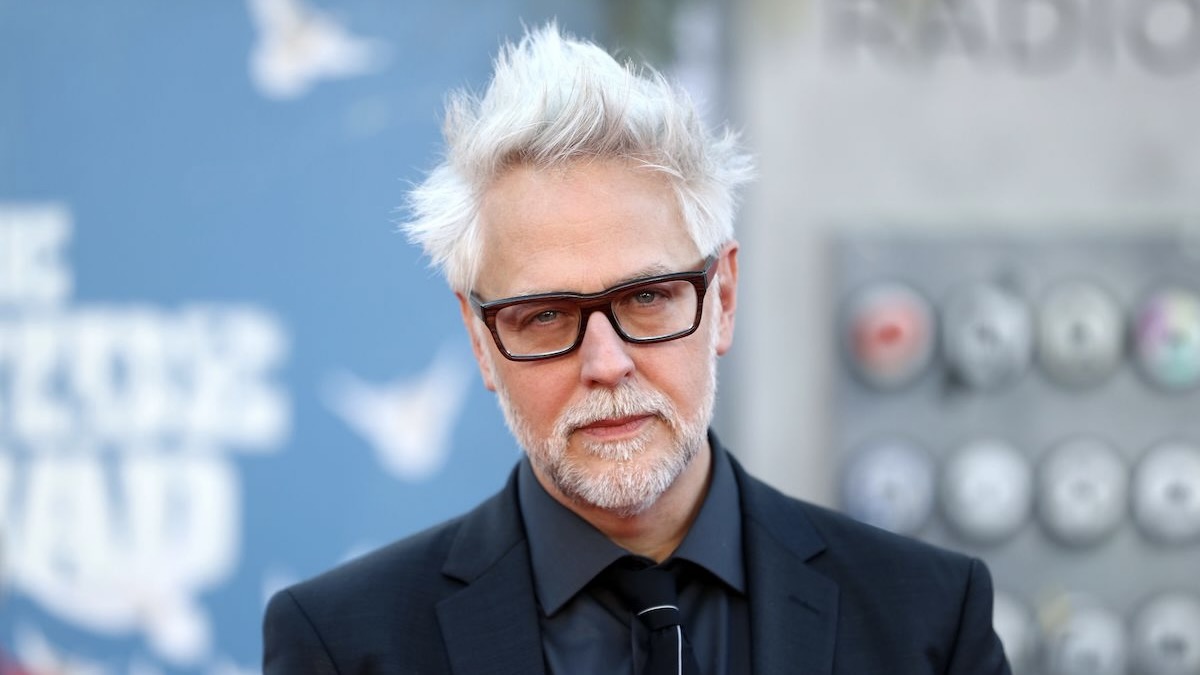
[715,541]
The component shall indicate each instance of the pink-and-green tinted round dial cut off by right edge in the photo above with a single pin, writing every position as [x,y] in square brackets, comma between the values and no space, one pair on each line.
[1167,339]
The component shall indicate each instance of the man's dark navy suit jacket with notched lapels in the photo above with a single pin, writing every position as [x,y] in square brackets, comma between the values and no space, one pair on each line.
[827,596]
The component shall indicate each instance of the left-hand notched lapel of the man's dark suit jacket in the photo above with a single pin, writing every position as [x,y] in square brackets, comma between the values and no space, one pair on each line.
[491,625]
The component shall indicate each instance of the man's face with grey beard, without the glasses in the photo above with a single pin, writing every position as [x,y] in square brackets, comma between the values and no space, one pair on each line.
[611,425]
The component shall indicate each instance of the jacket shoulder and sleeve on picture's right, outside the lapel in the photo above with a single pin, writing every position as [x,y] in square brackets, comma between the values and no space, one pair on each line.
[904,606]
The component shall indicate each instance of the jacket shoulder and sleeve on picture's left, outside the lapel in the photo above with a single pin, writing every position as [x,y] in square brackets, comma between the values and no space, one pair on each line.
[350,618]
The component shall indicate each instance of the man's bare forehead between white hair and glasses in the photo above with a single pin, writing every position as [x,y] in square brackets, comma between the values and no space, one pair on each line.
[583,228]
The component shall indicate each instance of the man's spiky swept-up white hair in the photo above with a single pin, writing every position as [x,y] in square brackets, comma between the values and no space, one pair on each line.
[554,100]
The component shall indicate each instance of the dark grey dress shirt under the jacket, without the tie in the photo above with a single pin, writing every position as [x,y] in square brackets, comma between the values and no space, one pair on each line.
[585,629]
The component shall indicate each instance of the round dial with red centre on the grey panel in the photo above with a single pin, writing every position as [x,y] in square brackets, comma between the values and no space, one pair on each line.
[889,334]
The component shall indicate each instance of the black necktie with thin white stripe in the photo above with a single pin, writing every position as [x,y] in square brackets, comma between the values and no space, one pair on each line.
[650,593]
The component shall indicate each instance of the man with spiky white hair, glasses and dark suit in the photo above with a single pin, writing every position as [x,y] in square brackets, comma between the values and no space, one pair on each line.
[584,218]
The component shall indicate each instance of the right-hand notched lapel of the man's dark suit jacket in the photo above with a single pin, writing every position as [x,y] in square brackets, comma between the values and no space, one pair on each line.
[794,610]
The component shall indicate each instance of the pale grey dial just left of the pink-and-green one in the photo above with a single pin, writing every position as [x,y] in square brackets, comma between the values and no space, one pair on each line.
[1081,334]
